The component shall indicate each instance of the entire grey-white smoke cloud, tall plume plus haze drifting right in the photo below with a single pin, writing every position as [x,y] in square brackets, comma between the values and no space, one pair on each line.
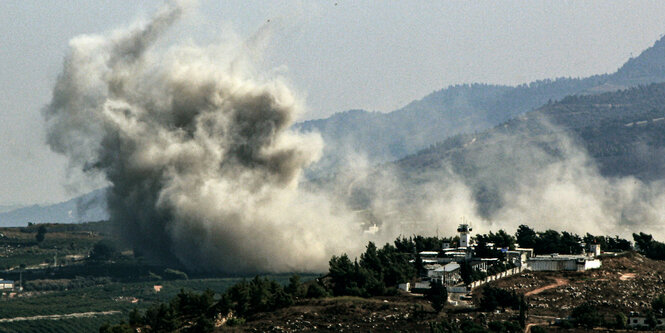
[205,170]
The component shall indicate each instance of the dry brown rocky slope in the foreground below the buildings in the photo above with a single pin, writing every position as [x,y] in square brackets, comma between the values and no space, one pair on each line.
[622,284]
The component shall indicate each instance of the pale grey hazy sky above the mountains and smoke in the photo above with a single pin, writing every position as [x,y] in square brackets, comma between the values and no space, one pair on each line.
[375,55]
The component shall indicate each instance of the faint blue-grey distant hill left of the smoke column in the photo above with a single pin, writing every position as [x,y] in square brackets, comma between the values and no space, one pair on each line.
[88,207]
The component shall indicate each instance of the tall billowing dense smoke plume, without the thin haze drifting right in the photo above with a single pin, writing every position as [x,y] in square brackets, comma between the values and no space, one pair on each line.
[203,167]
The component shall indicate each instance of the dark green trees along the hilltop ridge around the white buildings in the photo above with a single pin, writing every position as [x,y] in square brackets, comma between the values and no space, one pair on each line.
[377,272]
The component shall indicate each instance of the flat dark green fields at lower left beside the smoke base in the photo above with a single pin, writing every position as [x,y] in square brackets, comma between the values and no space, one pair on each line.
[79,285]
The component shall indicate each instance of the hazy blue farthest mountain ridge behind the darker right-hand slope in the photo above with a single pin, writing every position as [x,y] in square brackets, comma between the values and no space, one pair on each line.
[459,109]
